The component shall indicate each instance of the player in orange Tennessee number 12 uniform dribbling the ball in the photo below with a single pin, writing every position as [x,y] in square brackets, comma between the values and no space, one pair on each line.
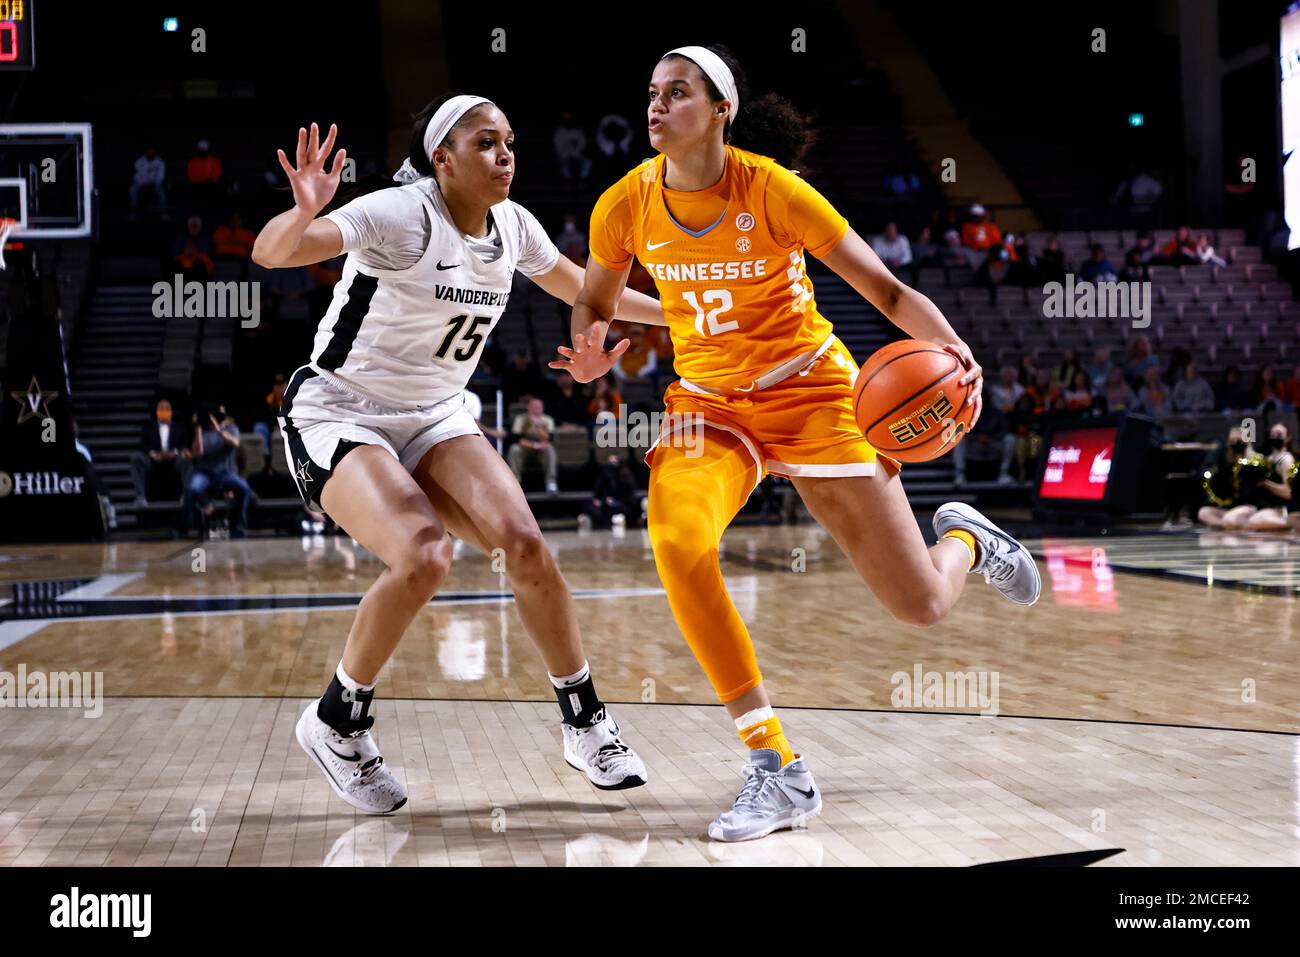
[723,233]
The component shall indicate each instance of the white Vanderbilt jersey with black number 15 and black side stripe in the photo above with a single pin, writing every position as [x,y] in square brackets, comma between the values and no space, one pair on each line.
[410,337]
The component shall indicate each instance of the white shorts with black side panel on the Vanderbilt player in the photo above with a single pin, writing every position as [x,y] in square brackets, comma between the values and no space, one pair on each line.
[323,422]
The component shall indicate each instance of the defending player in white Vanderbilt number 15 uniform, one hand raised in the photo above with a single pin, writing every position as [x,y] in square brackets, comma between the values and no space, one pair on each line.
[378,428]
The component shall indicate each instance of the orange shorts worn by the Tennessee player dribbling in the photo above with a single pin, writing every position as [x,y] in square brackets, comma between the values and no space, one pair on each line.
[801,427]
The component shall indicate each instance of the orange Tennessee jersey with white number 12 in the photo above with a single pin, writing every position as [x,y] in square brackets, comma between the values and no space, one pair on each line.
[727,261]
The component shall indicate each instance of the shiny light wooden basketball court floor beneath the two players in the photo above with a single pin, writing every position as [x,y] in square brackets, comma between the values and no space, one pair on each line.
[1143,713]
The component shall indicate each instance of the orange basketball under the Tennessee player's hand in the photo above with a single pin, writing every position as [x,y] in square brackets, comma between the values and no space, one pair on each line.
[908,401]
